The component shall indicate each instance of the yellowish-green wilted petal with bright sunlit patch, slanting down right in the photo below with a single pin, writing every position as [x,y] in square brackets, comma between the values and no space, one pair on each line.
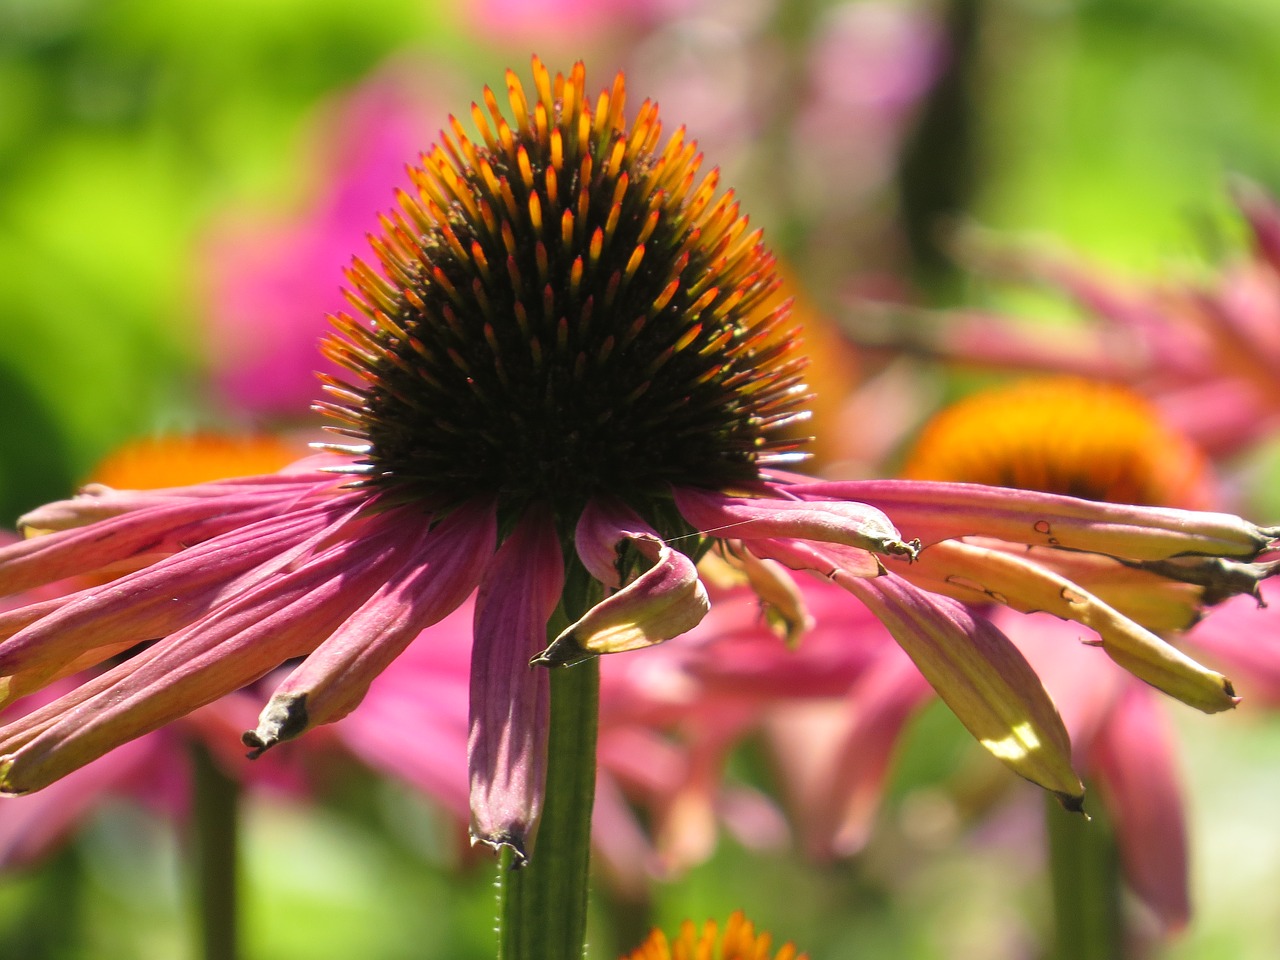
[982,678]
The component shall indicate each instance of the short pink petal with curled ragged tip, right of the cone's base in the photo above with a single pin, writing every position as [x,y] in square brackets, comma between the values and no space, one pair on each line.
[752,519]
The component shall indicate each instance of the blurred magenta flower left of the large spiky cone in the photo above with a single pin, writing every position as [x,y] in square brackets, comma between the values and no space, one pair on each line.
[271,278]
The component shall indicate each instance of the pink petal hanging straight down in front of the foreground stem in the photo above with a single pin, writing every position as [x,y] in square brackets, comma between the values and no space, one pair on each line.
[511,700]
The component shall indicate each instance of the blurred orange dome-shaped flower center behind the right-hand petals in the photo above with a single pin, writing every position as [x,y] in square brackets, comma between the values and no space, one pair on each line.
[1066,436]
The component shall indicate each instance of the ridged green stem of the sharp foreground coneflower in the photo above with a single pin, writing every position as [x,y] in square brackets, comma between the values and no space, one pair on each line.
[543,904]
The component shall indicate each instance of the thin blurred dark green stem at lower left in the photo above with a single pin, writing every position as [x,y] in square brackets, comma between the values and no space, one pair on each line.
[214,857]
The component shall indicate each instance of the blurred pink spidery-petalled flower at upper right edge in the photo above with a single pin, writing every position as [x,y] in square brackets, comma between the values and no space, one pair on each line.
[1208,354]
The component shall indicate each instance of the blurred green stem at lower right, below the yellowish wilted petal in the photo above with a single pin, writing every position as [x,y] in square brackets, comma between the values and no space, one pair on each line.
[1085,871]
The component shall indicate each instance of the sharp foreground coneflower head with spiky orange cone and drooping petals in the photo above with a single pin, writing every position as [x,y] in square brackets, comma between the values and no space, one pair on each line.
[569,380]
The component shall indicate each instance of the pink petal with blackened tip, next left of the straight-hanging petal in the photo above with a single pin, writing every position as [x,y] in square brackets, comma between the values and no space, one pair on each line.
[440,572]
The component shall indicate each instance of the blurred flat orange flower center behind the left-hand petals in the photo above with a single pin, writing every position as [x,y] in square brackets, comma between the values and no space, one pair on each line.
[195,459]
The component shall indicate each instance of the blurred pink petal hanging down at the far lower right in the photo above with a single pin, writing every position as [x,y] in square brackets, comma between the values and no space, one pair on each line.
[1133,760]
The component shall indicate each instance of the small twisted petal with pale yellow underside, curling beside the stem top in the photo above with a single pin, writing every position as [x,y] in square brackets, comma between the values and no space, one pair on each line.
[666,601]
